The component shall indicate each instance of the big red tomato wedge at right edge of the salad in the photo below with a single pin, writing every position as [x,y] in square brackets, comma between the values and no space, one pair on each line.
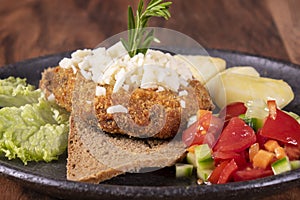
[281,126]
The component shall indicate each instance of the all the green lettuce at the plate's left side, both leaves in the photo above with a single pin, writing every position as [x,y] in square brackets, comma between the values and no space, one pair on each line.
[31,128]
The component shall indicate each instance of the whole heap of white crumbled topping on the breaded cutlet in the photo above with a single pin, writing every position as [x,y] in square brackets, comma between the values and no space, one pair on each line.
[115,67]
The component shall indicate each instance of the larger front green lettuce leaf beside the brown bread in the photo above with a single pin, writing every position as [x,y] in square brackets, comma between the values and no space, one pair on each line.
[34,132]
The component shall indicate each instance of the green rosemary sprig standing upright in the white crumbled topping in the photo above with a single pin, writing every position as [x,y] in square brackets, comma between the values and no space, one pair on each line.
[139,38]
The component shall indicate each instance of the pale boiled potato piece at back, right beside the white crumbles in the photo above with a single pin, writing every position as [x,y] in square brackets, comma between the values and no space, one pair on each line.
[203,67]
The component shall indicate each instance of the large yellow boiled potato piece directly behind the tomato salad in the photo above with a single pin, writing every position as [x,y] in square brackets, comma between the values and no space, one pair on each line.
[228,87]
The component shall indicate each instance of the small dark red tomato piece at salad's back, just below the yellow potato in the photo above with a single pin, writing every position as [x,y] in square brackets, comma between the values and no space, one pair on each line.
[232,110]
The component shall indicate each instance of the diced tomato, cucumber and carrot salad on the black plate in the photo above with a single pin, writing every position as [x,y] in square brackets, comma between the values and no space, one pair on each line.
[243,147]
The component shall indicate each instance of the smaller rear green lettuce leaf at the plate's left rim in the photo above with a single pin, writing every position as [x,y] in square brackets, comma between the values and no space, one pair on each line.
[16,92]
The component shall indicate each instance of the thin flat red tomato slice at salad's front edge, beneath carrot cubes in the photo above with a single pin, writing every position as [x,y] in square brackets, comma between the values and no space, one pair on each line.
[250,174]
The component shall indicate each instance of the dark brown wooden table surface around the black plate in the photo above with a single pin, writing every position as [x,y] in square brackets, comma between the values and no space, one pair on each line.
[32,28]
